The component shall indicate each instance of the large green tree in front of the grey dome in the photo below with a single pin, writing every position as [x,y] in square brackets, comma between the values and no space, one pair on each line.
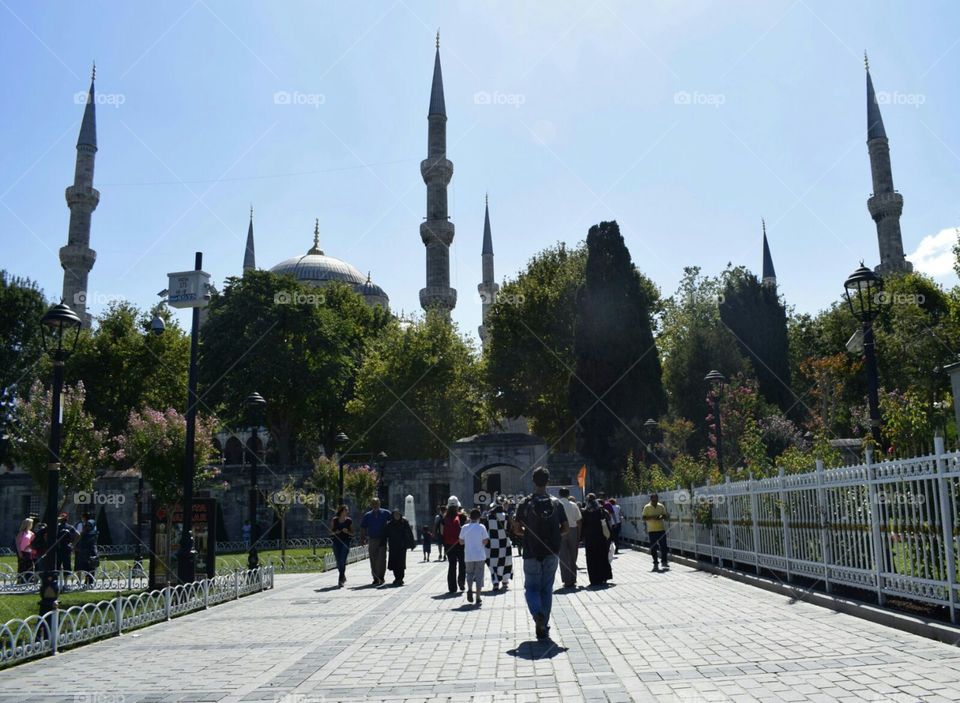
[299,347]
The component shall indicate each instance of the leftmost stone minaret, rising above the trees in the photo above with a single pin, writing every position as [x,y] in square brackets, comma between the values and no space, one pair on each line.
[82,198]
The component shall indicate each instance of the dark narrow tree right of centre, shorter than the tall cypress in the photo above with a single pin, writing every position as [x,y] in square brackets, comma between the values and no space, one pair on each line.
[758,320]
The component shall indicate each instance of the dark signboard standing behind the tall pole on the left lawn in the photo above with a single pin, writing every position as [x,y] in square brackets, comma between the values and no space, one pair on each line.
[166,527]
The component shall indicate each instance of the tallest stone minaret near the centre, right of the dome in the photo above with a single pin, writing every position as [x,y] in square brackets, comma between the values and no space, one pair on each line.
[437,231]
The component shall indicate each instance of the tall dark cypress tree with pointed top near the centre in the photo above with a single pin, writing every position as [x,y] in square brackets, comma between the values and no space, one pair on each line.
[617,382]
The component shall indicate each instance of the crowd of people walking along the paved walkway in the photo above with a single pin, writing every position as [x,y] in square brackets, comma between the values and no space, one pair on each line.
[547,531]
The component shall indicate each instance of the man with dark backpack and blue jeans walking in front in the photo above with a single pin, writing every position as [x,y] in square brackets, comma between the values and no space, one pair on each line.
[544,523]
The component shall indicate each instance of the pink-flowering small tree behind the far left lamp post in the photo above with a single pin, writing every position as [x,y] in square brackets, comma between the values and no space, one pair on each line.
[83,446]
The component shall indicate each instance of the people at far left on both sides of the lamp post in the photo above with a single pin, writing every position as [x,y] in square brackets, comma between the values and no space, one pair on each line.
[75,546]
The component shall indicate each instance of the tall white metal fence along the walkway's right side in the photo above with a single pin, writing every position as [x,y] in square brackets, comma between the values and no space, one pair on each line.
[889,527]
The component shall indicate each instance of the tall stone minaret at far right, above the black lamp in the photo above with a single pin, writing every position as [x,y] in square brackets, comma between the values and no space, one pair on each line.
[885,204]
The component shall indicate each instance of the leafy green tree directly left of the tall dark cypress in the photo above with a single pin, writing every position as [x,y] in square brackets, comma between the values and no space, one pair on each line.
[530,350]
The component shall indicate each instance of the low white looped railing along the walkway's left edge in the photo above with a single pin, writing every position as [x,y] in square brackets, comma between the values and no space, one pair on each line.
[47,634]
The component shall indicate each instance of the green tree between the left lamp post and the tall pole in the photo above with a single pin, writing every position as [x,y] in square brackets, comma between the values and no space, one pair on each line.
[125,367]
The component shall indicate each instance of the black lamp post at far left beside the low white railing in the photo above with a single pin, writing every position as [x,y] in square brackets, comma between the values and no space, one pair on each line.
[60,331]
